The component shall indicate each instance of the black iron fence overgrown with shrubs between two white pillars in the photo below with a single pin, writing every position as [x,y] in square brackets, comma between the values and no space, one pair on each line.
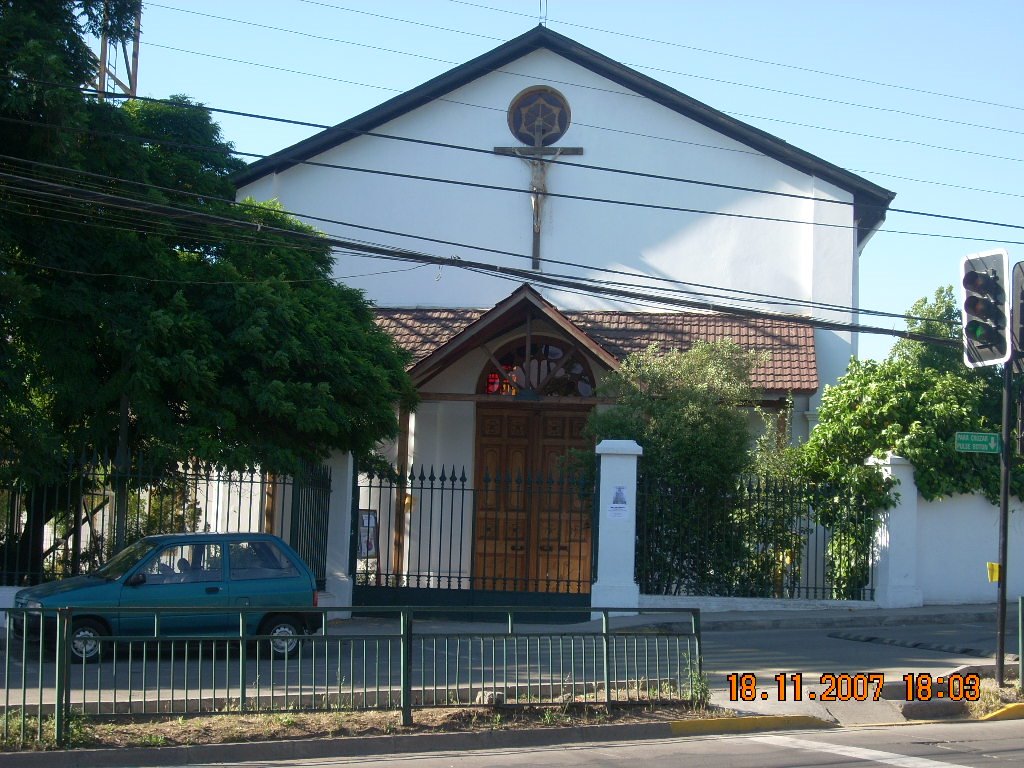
[766,539]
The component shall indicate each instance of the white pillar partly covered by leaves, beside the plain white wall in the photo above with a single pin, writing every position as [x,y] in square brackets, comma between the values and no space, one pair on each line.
[897,541]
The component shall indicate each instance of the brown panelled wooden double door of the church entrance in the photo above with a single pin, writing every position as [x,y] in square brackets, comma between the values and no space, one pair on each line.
[534,523]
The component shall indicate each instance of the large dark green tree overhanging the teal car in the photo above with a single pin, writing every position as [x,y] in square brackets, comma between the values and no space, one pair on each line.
[140,307]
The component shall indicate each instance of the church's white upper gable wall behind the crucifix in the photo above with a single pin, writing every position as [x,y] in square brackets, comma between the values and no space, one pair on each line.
[616,130]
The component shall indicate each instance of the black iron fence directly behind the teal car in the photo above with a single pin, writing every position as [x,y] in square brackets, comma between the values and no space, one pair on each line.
[56,530]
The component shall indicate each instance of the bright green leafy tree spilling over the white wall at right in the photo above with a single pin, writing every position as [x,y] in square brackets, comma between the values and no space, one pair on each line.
[912,405]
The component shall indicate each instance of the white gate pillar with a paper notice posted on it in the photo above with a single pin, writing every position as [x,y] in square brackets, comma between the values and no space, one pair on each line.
[616,586]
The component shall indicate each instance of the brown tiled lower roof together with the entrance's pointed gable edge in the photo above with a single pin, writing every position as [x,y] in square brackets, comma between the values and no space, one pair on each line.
[436,337]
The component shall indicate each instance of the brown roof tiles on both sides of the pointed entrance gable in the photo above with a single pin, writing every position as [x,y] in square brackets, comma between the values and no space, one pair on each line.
[792,366]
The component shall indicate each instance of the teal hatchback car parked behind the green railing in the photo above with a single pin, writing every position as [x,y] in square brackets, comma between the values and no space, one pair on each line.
[178,573]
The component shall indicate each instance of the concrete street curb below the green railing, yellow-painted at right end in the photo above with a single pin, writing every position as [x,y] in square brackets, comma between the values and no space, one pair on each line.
[403,745]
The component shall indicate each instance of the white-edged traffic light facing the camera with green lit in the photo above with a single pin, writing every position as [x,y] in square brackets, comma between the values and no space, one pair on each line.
[987,309]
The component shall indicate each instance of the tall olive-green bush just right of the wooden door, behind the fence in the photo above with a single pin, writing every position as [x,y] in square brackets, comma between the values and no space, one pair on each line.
[685,409]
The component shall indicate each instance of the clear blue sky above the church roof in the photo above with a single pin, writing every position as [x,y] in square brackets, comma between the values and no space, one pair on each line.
[899,94]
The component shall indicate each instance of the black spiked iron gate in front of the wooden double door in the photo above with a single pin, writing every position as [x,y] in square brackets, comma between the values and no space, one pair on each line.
[437,530]
